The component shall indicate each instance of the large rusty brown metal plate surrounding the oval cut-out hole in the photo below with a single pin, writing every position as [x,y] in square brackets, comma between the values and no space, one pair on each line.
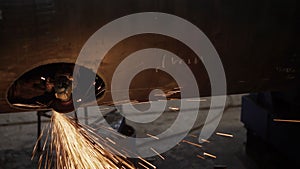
[256,40]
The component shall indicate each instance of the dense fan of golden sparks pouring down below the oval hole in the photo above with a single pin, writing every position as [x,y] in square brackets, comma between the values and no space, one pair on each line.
[77,148]
